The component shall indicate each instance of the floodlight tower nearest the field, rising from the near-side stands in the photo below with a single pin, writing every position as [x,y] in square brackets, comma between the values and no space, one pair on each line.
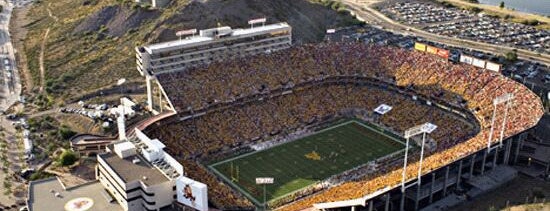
[416,130]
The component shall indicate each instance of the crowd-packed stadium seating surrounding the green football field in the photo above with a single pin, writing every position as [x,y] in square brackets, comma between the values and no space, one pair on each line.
[326,79]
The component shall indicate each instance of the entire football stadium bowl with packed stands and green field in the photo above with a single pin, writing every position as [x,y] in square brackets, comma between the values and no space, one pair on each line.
[330,122]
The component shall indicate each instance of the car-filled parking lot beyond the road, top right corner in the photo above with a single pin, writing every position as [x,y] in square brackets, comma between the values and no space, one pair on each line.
[464,24]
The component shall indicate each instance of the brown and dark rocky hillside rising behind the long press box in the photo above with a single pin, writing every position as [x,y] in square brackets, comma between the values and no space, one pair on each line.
[89,44]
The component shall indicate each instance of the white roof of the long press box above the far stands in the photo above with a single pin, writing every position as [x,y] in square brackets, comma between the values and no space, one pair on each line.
[153,48]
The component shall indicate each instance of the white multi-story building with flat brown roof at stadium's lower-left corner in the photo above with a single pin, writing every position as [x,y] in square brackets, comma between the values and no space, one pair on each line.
[139,174]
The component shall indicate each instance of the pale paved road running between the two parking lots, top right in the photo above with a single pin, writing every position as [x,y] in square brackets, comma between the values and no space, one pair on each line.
[376,18]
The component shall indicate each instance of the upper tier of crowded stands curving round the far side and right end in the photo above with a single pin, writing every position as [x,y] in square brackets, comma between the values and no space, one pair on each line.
[392,66]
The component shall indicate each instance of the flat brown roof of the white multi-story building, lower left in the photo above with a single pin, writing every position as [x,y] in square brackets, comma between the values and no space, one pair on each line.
[129,171]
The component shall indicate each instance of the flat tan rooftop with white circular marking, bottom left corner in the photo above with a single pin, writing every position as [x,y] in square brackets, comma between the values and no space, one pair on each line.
[42,196]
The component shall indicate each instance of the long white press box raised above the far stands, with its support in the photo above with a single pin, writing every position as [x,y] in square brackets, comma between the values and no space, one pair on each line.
[209,45]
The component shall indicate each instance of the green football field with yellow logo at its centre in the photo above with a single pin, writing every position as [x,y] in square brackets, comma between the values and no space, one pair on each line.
[341,147]
